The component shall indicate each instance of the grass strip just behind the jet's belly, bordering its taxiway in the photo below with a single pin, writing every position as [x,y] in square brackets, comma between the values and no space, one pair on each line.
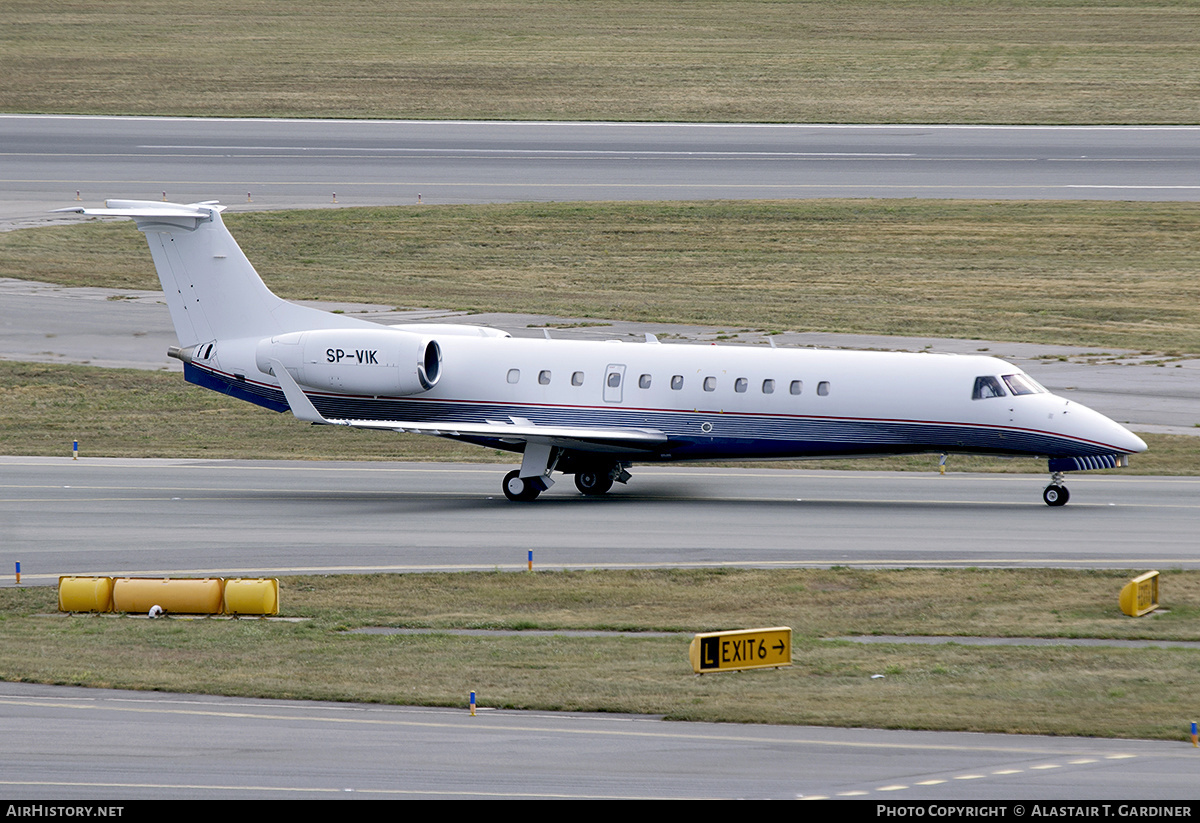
[131,413]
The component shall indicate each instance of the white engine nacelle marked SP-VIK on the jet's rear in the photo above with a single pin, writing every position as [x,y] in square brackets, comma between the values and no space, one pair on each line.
[357,362]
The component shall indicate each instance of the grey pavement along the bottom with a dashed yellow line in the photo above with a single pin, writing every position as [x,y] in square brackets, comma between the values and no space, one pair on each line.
[100,744]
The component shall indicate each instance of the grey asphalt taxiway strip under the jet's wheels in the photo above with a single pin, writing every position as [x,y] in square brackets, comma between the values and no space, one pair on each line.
[239,518]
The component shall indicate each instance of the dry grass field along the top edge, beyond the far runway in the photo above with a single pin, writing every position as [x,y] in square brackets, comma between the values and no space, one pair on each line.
[1024,62]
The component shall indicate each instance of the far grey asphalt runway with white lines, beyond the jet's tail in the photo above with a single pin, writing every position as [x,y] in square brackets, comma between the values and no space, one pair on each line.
[305,164]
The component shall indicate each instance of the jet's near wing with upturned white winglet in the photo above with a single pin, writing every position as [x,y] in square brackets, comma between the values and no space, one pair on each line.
[520,430]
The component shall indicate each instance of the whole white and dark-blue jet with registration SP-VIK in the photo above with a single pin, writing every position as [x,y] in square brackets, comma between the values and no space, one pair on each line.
[593,410]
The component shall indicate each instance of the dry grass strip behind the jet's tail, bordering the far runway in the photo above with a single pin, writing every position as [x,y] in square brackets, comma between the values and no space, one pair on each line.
[1073,273]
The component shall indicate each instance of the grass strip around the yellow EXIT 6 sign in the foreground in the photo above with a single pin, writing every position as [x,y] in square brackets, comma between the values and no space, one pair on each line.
[1105,692]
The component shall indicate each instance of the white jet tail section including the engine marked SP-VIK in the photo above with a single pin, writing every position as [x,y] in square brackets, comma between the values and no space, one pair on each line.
[232,329]
